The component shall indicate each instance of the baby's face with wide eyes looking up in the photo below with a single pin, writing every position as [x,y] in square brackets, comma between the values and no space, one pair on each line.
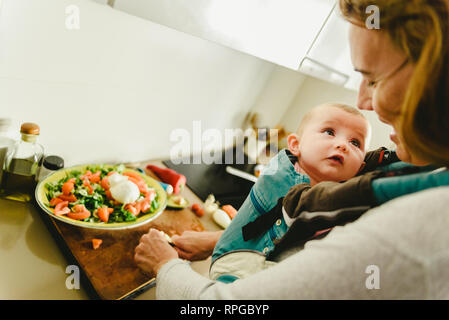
[332,146]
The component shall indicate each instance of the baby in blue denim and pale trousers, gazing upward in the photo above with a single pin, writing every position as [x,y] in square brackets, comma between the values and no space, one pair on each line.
[329,145]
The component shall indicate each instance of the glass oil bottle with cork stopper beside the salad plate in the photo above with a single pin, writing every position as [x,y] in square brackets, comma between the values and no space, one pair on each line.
[22,165]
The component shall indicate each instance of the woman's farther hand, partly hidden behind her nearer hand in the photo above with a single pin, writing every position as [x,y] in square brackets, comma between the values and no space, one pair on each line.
[194,245]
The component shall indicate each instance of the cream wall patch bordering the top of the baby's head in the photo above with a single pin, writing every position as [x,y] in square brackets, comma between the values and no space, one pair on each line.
[313,92]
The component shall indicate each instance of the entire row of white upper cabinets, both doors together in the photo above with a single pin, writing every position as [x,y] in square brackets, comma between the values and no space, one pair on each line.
[308,36]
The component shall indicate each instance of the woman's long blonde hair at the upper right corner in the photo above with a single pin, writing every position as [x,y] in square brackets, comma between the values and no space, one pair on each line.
[419,29]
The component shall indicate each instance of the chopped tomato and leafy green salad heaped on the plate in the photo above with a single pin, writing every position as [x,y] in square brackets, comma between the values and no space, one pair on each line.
[88,196]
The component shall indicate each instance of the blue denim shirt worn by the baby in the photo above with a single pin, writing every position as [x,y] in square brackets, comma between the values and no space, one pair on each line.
[274,183]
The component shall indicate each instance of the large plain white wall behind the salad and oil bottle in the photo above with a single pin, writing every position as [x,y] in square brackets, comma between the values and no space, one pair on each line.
[113,90]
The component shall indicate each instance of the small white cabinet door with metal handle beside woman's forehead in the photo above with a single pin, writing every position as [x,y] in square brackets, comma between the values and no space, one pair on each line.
[329,57]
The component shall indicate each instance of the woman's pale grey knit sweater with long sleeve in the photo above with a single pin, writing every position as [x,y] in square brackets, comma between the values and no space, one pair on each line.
[399,250]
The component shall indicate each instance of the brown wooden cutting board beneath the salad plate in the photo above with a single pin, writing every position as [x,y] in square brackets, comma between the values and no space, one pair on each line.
[110,272]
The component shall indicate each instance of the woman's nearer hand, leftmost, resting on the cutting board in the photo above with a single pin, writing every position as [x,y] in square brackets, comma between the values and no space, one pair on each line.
[153,252]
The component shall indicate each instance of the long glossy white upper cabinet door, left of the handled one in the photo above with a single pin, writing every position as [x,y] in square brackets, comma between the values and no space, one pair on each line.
[280,31]
